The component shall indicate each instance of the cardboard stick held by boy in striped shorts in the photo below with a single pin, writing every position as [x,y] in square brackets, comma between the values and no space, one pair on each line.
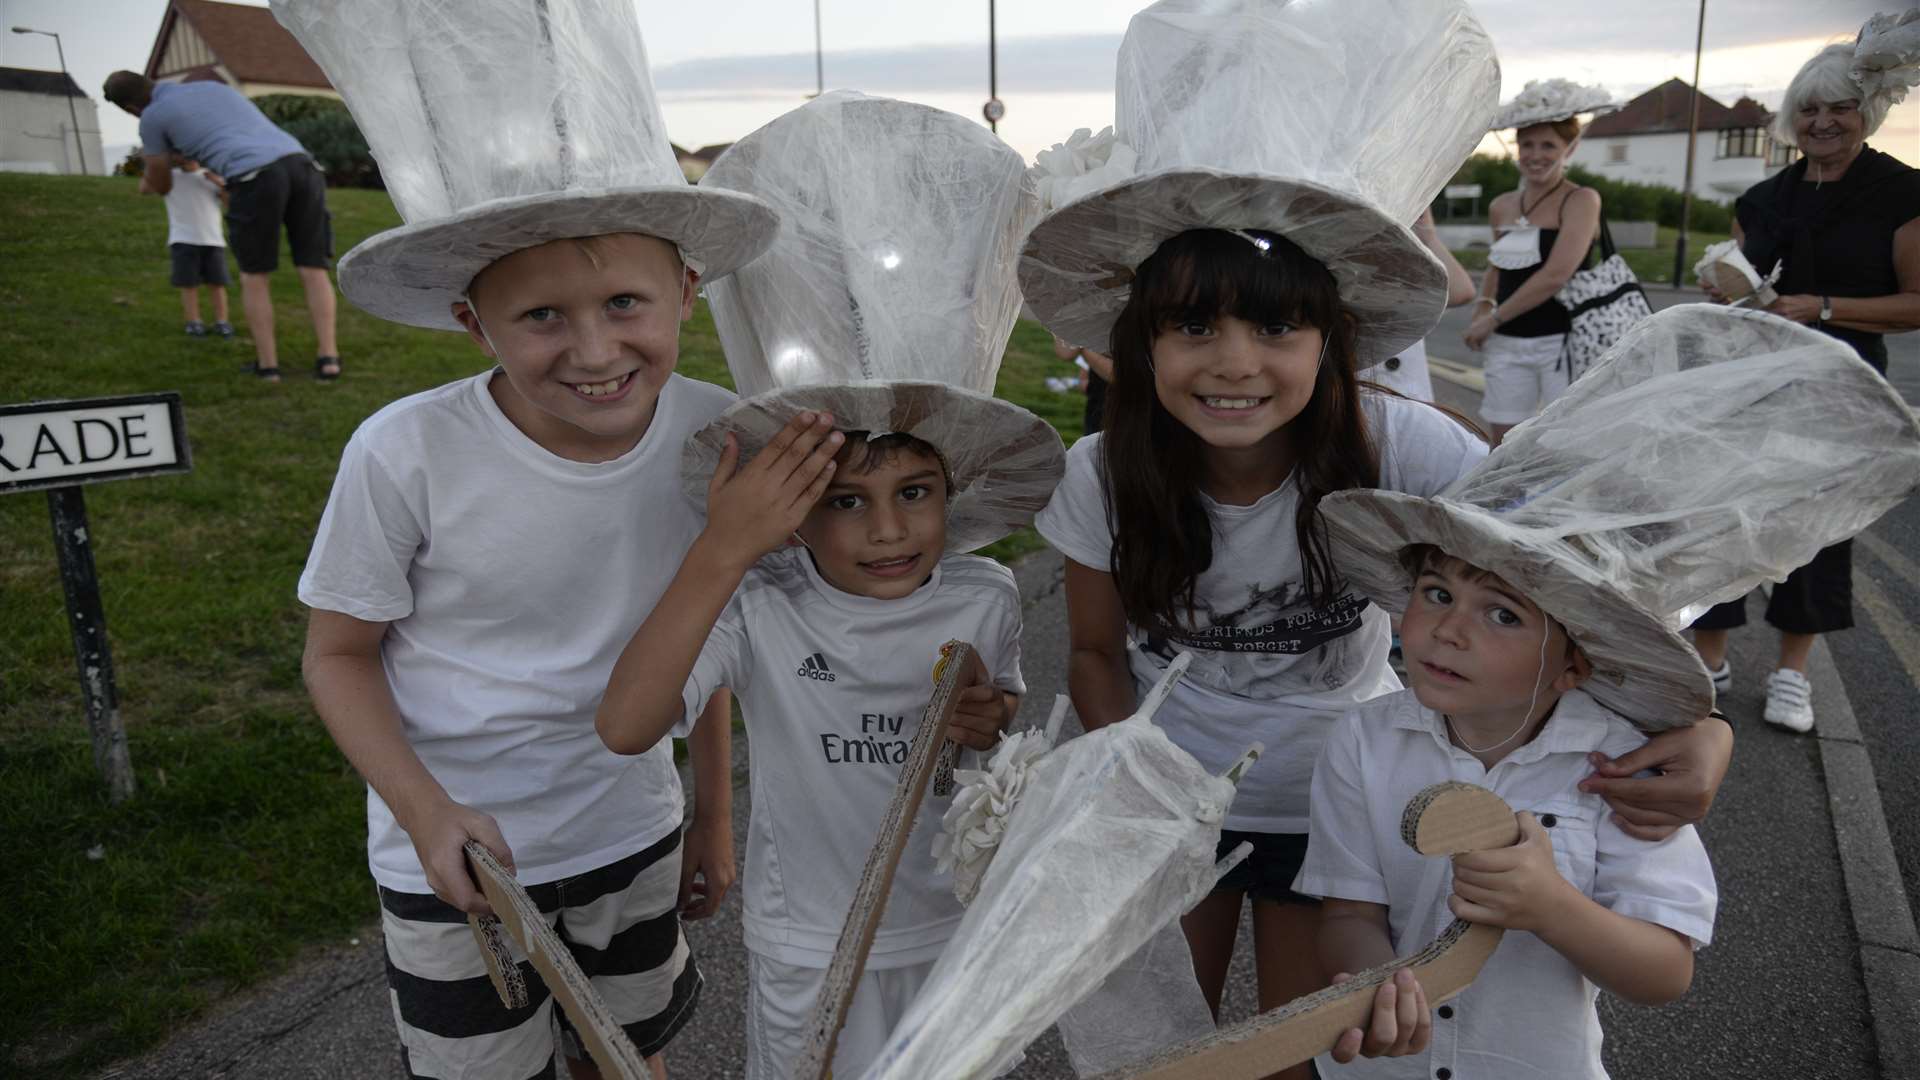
[519,918]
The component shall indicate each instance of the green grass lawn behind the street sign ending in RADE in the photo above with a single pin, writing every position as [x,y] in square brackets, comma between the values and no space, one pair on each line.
[247,841]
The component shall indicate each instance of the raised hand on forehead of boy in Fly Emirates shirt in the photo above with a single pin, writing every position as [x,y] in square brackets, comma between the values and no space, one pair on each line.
[756,508]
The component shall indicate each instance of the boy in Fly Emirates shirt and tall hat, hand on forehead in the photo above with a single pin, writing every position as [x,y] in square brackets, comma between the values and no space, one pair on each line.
[871,437]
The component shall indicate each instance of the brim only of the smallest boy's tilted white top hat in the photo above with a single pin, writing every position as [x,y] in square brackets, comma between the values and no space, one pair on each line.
[1643,670]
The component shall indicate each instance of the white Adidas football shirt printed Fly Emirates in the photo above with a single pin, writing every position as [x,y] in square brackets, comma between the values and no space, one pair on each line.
[832,687]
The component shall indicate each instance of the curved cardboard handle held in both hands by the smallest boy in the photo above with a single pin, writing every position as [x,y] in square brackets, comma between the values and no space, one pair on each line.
[1445,820]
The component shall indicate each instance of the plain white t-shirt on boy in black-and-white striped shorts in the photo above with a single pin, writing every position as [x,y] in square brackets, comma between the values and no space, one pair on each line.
[510,581]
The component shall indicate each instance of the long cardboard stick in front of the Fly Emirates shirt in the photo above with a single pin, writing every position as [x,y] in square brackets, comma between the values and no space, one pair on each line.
[871,900]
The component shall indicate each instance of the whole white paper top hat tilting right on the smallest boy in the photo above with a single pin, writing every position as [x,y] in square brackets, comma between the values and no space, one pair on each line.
[1714,449]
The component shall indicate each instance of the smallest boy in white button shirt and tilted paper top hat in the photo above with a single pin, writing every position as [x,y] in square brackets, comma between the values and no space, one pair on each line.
[1545,593]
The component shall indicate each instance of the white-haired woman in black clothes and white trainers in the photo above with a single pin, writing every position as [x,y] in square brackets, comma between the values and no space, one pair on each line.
[1846,224]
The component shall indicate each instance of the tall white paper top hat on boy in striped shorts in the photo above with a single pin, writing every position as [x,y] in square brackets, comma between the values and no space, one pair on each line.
[500,128]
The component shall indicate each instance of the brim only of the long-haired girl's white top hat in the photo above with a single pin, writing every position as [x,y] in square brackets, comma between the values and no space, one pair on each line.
[1078,262]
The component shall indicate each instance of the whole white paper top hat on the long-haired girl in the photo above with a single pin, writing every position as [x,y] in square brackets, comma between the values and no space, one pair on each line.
[1328,124]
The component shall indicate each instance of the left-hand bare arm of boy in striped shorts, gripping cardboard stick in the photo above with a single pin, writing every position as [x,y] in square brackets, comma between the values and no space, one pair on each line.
[356,702]
